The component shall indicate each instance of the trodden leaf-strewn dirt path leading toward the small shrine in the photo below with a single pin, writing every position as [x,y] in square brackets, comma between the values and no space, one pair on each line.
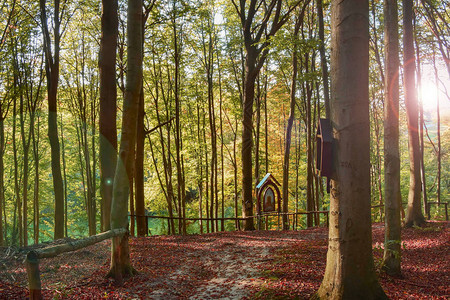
[221,267]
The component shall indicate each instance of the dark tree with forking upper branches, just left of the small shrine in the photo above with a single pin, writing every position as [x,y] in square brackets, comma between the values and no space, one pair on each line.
[256,41]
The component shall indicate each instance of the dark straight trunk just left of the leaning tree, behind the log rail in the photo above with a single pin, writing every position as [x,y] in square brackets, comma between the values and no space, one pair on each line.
[108,96]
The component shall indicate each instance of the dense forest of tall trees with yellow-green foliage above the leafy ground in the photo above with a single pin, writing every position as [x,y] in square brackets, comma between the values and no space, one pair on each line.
[163,116]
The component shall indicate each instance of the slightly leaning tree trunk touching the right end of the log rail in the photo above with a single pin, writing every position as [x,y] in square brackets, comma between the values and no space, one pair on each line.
[120,253]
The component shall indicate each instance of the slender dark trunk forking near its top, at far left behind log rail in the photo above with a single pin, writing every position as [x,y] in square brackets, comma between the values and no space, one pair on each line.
[52,73]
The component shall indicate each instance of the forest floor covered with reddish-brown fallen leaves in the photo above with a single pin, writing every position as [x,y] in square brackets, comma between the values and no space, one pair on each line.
[230,265]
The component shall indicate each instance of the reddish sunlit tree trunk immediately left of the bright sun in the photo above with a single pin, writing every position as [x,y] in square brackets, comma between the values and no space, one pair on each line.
[414,214]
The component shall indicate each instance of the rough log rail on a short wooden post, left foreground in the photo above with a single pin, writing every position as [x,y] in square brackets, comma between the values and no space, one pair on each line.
[32,259]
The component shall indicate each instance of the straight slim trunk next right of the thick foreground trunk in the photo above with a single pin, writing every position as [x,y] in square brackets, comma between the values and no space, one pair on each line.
[392,247]
